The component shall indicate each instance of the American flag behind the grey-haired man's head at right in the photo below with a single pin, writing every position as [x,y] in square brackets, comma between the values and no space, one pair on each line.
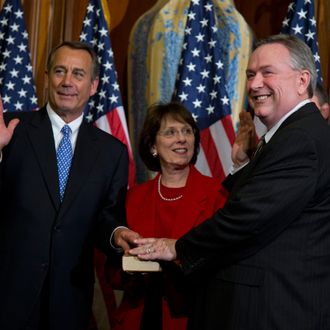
[300,21]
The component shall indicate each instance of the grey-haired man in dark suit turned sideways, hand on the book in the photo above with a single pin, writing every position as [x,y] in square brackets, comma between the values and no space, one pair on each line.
[265,256]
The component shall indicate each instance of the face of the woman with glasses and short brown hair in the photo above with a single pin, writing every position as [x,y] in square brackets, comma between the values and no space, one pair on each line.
[174,144]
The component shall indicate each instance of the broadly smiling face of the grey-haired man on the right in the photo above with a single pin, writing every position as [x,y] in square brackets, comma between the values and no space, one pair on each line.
[273,87]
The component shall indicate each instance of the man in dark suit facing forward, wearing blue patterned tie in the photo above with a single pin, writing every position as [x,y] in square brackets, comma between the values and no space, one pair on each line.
[46,240]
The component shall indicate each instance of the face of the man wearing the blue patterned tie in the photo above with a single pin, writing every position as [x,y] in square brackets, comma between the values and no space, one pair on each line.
[70,82]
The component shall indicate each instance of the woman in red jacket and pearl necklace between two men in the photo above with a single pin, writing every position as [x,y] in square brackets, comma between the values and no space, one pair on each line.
[178,198]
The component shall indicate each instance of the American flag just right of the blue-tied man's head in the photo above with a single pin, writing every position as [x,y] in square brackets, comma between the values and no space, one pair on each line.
[105,108]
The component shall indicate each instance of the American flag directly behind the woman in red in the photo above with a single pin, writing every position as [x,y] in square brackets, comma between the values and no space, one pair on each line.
[200,86]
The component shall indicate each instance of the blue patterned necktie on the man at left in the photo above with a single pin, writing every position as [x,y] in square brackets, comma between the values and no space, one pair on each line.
[64,157]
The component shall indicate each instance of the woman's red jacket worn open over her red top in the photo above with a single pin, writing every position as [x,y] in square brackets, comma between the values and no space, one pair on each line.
[203,196]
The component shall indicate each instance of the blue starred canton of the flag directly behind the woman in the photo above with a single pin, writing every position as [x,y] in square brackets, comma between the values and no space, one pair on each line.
[200,84]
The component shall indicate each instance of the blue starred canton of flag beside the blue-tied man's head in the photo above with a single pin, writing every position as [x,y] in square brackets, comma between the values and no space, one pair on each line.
[95,32]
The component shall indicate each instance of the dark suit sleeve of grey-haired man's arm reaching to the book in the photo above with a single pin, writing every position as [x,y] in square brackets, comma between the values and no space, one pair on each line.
[260,205]
